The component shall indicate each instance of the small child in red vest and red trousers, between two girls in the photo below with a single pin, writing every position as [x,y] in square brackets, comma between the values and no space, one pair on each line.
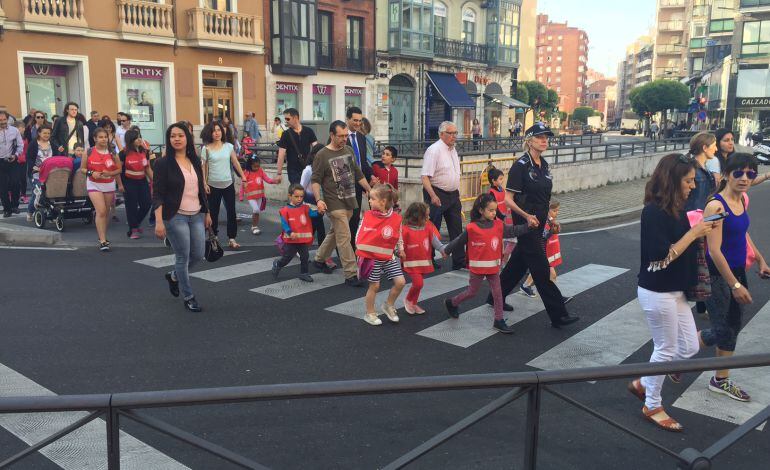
[420,238]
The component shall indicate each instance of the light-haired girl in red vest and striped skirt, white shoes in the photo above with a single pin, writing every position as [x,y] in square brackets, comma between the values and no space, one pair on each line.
[379,246]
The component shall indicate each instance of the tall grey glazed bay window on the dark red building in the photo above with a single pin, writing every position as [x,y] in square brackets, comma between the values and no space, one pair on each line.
[293,33]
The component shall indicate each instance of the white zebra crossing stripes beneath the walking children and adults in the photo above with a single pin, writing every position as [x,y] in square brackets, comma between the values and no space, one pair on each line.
[611,340]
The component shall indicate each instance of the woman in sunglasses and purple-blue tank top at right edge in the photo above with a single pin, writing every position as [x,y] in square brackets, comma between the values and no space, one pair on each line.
[728,246]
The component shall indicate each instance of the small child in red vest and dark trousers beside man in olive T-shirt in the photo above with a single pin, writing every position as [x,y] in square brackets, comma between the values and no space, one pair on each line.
[297,232]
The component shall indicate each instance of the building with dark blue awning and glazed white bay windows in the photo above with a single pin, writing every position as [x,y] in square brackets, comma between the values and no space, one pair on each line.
[446,60]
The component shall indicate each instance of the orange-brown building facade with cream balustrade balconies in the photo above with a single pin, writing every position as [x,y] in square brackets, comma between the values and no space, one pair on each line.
[159,61]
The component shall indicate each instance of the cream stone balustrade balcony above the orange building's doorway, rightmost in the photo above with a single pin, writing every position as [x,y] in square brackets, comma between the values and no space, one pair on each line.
[224,30]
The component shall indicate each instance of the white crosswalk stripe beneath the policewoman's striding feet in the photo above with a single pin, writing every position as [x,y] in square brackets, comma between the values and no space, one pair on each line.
[476,324]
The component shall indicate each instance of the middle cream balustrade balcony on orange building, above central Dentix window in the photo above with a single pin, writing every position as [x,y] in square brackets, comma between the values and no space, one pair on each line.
[144,18]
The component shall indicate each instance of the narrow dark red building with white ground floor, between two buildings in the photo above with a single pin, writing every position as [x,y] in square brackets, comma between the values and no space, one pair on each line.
[321,59]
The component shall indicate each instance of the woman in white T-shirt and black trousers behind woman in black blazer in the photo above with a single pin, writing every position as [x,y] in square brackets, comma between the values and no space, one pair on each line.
[219,158]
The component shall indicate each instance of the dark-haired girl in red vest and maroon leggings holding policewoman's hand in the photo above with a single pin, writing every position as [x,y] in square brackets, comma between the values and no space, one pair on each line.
[483,239]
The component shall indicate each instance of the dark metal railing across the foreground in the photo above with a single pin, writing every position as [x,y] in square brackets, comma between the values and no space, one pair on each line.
[532,384]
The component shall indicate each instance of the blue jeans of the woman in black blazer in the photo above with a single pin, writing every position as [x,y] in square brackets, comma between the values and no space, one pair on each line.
[187,235]
